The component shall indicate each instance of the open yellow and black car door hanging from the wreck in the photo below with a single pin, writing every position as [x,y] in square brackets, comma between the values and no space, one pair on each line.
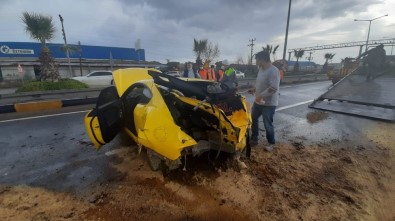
[105,121]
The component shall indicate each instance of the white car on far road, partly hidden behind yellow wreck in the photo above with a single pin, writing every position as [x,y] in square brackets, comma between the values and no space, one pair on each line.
[97,78]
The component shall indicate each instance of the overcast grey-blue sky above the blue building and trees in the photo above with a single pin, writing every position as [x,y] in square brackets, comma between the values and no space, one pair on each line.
[167,27]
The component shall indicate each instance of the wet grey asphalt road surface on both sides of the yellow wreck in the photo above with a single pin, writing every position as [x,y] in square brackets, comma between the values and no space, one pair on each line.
[55,152]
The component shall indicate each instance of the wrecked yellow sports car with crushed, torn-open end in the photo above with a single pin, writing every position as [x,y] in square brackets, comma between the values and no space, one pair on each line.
[170,117]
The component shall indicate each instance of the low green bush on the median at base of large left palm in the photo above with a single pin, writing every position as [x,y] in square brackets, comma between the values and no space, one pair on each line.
[49,86]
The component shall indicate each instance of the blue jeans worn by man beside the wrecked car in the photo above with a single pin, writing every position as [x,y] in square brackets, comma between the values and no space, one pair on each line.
[267,113]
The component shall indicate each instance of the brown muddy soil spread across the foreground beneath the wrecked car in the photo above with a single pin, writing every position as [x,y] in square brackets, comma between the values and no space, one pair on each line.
[297,181]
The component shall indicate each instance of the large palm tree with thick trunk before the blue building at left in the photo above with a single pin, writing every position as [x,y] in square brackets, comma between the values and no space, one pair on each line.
[41,28]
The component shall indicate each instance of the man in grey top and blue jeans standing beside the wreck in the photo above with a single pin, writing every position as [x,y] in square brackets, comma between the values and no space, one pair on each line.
[267,90]
